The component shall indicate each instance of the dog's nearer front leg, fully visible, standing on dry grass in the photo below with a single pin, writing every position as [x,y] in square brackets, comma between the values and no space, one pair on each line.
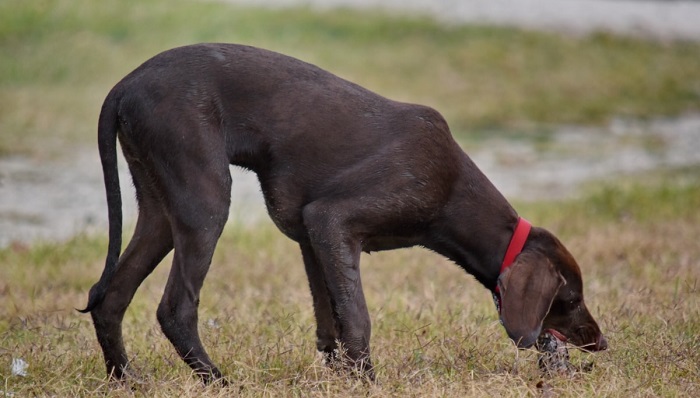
[337,255]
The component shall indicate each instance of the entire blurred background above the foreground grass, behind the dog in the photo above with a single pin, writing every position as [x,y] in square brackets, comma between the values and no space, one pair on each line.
[548,97]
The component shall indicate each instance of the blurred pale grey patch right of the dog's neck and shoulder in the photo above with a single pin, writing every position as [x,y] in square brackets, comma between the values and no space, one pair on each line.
[576,155]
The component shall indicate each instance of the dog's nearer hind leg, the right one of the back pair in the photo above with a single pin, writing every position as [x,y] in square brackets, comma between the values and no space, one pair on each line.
[199,197]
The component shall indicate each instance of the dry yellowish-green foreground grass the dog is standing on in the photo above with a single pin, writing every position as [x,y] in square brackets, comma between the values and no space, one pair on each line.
[435,329]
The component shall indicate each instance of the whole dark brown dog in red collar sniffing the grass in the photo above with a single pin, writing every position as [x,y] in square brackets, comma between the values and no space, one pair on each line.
[342,170]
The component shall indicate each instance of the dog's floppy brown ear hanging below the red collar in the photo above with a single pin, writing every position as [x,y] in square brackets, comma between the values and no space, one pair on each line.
[527,290]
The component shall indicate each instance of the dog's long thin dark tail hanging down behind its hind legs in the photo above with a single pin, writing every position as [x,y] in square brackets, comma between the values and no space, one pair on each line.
[107,145]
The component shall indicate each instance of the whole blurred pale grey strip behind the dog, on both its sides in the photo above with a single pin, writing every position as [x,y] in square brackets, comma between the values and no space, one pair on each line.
[54,201]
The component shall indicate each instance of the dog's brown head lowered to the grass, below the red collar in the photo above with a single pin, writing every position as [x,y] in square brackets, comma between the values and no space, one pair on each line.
[543,291]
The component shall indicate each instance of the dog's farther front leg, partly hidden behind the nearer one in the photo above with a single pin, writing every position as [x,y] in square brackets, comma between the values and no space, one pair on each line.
[326,330]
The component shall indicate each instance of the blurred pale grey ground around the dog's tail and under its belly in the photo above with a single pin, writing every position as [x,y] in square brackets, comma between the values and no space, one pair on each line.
[54,201]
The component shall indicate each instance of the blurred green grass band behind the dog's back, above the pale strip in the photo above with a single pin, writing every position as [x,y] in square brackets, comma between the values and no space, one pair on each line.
[59,58]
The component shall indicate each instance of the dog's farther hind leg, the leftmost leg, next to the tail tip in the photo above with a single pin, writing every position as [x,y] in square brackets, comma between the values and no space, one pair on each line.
[151,241]
